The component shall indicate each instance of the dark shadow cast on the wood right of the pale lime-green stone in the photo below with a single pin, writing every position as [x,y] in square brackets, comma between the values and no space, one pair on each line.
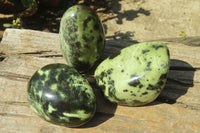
[180,78]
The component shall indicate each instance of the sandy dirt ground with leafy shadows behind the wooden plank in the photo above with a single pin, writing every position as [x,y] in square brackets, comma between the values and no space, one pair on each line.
[138,20]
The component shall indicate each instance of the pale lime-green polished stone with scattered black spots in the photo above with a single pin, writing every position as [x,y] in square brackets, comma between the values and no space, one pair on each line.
[135,75]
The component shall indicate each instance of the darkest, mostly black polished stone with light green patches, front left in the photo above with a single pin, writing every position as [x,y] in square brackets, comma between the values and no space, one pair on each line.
[60,95]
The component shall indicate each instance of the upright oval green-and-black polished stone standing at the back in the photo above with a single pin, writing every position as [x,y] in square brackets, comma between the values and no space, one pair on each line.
[81,37]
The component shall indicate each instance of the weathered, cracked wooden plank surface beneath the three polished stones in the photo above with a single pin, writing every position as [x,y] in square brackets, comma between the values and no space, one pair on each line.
[177,109]
